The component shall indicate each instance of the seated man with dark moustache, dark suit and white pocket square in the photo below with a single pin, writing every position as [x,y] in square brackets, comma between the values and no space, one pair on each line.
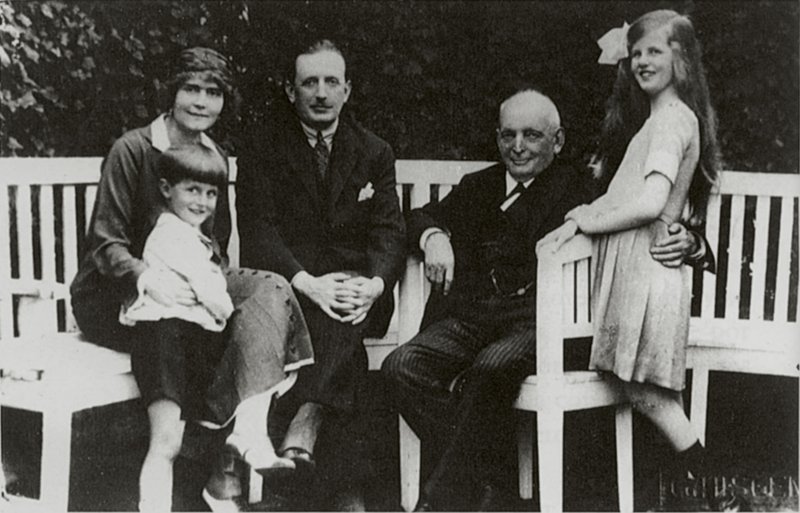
[316,202]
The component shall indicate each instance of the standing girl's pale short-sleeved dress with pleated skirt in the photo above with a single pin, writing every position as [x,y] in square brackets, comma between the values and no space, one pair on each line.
[641,308]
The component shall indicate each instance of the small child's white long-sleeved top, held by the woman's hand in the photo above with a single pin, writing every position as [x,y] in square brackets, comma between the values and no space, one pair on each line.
[175,246]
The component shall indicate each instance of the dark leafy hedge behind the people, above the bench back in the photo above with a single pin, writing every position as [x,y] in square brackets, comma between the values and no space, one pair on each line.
[427,76]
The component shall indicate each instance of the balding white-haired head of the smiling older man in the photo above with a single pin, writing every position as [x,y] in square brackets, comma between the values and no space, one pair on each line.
[529,134]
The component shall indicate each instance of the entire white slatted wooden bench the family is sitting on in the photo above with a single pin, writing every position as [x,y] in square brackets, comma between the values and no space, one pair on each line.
[58,195]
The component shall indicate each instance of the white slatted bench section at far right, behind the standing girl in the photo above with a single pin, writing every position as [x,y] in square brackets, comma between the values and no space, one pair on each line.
[748,314]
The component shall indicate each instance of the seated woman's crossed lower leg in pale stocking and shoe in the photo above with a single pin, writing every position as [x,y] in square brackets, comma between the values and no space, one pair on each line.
[250,436]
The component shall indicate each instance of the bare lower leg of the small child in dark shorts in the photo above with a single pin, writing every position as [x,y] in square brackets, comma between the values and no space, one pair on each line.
[166,436]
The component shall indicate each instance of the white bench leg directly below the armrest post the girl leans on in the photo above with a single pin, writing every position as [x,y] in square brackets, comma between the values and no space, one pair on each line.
[551,460]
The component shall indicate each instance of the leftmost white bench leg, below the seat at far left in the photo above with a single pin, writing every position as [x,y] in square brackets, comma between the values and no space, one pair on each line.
[56,457]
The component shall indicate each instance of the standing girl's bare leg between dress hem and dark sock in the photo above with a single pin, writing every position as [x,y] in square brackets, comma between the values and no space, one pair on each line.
[663,408]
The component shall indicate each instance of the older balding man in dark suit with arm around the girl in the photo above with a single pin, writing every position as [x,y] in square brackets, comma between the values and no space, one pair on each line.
[456,380]
